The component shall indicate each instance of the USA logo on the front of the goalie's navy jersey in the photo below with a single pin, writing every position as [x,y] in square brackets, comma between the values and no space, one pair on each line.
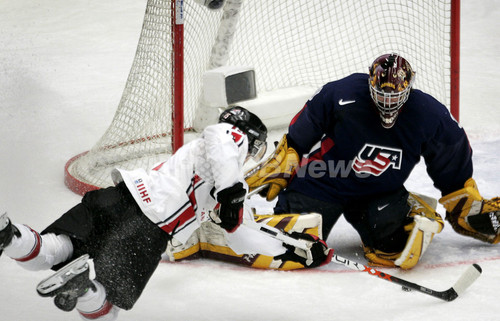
[374,159]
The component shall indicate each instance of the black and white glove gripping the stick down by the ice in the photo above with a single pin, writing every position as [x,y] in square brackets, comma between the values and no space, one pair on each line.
[318,253]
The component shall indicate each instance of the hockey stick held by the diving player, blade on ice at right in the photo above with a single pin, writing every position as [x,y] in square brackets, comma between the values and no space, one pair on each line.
[464,281]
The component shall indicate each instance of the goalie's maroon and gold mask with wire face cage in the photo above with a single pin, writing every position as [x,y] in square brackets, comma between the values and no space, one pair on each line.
[391,79]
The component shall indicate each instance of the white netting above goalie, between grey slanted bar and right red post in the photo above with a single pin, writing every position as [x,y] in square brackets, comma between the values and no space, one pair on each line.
[300,42]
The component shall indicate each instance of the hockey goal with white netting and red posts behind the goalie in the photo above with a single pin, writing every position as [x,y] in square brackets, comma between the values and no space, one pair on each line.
[288,43]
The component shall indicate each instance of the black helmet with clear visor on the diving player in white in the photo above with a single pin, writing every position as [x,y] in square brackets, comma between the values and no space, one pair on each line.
[252,126]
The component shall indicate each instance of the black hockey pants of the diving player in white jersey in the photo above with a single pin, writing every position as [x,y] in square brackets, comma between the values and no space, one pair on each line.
[125,245]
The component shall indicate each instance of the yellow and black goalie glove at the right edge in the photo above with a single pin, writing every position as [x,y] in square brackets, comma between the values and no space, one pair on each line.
[471,215]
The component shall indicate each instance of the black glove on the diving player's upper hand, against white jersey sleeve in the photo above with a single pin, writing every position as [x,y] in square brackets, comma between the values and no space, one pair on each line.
[231,207]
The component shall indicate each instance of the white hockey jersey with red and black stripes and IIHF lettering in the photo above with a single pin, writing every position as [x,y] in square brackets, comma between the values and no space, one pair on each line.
[178,194]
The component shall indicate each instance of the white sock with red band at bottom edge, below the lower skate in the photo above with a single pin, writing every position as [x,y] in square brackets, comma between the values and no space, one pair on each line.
[94,306]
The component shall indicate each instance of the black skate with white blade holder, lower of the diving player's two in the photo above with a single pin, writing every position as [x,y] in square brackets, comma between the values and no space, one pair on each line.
[68,284]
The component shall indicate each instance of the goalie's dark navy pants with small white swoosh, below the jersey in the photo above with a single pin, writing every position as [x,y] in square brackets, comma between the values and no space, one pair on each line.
[379,219]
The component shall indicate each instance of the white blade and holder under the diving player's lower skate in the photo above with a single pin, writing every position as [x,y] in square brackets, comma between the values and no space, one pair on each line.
[61,277]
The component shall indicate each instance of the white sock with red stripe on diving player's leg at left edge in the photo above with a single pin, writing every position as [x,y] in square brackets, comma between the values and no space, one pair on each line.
[38,252]
